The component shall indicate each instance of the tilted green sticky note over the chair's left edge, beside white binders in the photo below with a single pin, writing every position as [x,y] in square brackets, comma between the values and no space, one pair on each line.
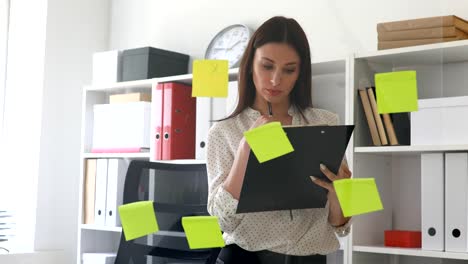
[138,219]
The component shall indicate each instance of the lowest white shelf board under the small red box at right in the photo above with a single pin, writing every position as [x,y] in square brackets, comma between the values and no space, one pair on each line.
[410,252]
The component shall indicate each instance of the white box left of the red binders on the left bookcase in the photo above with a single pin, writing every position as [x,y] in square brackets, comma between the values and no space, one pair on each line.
[121,127]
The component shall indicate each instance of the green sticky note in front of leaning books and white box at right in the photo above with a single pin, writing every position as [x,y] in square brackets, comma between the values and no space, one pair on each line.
[397,92]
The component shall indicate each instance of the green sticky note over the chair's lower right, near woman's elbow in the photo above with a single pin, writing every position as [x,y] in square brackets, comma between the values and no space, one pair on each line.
[202,232]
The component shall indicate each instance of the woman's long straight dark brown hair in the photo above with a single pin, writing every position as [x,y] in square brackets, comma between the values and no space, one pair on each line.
[277,29]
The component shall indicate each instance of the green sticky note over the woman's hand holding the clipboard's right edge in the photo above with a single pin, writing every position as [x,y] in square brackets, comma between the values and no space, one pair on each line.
[357,196]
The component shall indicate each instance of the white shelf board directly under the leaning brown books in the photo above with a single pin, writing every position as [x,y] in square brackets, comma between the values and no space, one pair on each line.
[411,149]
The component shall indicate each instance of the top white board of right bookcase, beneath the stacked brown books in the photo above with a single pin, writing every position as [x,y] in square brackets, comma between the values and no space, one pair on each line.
[447,52]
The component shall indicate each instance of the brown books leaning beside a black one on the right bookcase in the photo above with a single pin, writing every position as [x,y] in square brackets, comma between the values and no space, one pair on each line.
[385,129]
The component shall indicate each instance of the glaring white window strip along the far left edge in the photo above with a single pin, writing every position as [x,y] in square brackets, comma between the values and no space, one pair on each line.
[20,163]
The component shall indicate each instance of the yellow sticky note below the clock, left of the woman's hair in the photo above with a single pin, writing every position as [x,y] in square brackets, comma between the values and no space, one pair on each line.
[210,78]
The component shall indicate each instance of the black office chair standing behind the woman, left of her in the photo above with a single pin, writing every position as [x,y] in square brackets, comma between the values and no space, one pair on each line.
[177,190]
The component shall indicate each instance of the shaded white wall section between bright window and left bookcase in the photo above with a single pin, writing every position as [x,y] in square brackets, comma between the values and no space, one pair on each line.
[75,29]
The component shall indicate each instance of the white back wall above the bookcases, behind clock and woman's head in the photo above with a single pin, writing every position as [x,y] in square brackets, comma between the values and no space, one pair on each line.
[334,27]
